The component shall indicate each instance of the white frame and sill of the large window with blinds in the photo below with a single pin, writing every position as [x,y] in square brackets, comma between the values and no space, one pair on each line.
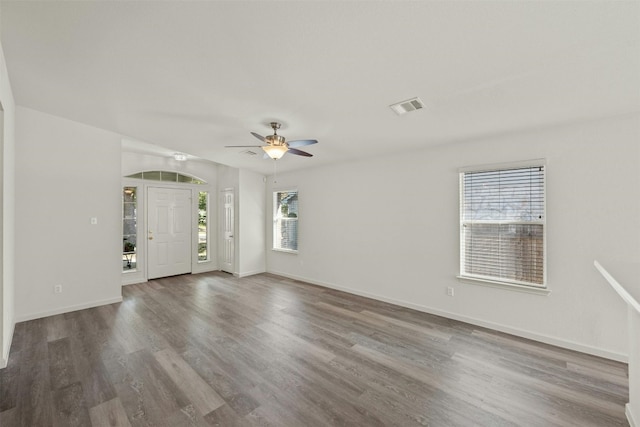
[499,282]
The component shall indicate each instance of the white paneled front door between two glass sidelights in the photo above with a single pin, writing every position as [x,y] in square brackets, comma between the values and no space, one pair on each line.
[168,232]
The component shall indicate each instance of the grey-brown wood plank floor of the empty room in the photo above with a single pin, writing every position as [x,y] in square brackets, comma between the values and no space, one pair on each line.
[214,350]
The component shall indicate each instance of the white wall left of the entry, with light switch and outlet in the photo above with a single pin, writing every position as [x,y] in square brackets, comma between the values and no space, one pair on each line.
[66,173]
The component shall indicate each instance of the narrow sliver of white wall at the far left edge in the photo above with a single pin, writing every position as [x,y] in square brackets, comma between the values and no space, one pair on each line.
[7,174]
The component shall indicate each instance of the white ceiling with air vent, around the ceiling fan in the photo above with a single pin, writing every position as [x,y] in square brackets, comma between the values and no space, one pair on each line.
[196,76]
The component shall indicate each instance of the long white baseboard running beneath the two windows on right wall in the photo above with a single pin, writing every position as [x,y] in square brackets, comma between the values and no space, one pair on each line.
[558,342]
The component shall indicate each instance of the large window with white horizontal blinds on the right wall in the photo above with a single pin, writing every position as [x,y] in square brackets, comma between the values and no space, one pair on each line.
[502,225]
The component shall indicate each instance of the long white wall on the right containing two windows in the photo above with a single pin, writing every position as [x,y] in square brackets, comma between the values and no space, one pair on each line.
[388,228]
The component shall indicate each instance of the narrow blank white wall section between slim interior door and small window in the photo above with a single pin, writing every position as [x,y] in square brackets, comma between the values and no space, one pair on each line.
[251,205]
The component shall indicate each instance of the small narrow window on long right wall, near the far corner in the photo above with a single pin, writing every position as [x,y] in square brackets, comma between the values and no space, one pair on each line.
[285,221]
